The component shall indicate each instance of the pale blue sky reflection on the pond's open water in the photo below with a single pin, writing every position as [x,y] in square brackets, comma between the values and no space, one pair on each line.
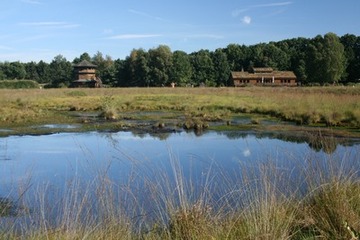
[58,158]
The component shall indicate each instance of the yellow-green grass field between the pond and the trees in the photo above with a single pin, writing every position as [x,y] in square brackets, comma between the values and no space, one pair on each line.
[335,107]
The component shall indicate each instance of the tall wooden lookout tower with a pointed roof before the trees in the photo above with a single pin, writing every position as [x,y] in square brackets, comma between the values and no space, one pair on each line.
[85,75]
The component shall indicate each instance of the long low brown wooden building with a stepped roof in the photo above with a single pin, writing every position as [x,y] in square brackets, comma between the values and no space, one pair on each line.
[264,77]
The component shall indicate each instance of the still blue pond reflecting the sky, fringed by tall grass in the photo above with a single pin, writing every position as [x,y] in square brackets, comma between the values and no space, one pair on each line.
[215,161]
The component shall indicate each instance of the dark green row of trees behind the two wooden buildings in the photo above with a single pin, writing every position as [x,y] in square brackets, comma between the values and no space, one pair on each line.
[326,59]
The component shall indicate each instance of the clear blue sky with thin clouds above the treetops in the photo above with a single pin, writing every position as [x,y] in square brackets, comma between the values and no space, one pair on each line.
[34,30]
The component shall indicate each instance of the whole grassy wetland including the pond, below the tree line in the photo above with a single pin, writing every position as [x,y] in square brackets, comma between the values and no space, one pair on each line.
[151,163]
